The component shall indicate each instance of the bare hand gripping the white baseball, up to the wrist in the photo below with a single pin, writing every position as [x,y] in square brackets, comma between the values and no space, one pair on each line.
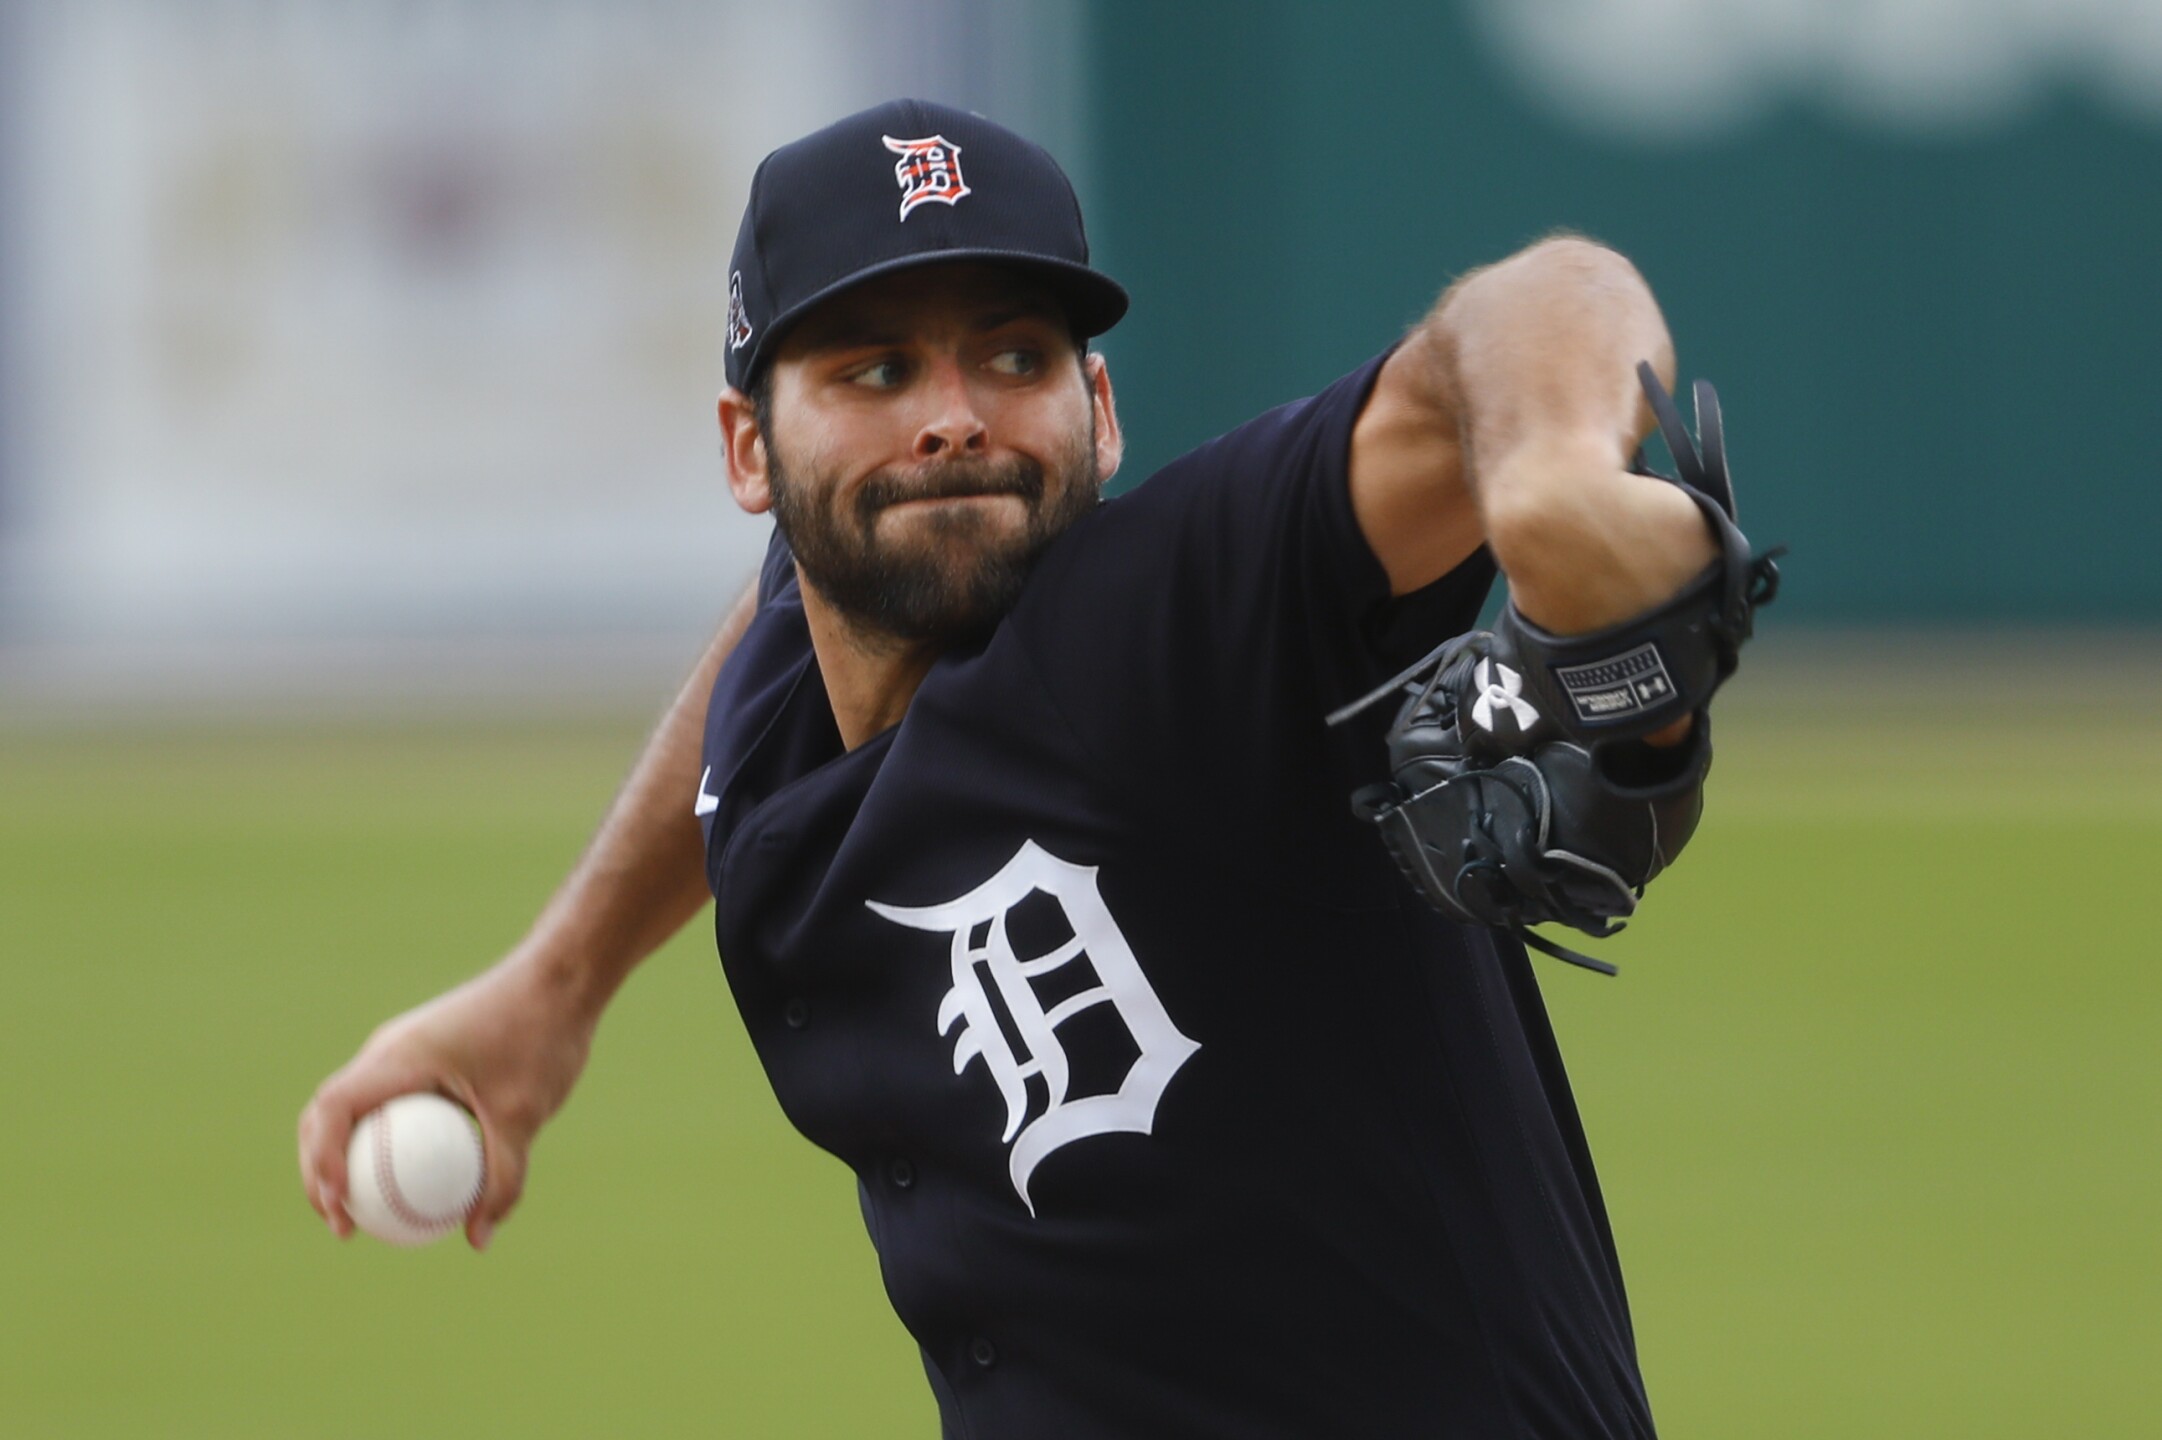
[507,1045]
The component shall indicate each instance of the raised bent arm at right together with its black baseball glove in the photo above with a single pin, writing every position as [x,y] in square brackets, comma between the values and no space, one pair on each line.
[1553,766]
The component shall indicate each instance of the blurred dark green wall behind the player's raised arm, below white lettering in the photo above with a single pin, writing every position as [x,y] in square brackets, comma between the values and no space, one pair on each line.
[1938,358]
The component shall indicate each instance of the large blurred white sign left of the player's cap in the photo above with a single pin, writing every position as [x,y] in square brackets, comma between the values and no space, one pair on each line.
[399,319]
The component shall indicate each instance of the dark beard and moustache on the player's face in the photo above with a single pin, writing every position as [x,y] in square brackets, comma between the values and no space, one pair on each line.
[948,589]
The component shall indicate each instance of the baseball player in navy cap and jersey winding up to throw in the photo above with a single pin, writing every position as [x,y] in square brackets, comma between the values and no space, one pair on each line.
[1175,1108]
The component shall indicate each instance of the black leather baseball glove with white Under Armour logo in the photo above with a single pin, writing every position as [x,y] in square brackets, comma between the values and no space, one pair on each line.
[1523,788]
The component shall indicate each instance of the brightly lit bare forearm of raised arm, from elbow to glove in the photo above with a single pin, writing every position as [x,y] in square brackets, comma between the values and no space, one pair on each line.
[1538,360]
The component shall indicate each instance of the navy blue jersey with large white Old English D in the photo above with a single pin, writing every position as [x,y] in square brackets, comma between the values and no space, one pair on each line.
[1173,1110]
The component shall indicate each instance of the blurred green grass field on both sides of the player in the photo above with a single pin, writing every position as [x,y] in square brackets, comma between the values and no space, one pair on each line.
[1876,1095]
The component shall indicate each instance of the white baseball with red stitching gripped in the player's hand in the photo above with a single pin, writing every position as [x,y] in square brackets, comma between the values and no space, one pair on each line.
[414,1169]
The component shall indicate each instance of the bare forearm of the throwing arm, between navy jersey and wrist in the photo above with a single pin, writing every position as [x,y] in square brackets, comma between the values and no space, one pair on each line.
[643,877]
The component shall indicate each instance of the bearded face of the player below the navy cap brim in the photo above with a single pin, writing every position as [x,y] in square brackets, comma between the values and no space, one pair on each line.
[929,436]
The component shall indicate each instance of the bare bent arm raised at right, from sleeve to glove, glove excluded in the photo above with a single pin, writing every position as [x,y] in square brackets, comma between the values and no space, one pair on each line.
[1508,418]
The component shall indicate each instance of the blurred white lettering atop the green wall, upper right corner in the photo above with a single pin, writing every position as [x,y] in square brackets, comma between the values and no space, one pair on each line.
[1674,70]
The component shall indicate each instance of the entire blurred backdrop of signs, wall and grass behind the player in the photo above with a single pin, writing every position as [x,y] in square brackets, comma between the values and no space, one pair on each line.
[360,505]
